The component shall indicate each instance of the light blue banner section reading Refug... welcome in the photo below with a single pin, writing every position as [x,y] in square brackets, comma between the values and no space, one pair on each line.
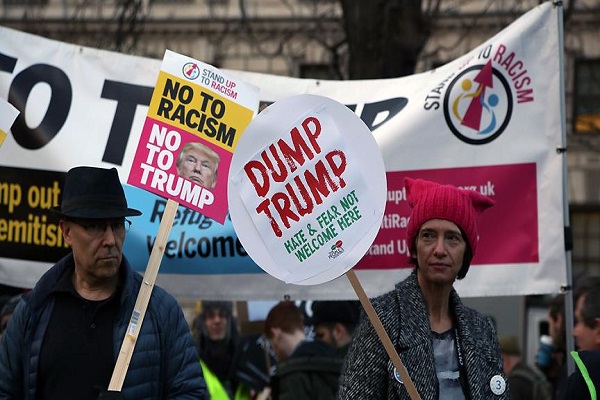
[197,245]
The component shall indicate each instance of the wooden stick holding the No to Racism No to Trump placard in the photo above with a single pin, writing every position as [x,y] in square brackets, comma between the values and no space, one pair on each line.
[141,304]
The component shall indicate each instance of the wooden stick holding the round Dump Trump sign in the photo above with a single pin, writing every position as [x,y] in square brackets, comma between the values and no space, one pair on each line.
[385,339]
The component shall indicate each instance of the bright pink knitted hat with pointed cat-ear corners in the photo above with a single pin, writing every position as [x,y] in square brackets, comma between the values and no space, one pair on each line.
[430,200]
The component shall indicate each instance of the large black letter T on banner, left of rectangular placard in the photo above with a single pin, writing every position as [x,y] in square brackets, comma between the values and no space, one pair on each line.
[128,97]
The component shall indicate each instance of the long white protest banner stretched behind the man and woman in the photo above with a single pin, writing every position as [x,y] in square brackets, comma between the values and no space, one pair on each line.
[417,121]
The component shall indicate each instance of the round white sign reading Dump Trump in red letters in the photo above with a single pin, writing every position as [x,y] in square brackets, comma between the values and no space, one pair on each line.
[307,189]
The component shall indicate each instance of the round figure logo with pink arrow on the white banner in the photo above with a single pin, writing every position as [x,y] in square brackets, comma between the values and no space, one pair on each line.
[478,104]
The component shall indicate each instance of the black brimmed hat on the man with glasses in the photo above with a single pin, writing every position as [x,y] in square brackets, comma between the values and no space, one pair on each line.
[96,193]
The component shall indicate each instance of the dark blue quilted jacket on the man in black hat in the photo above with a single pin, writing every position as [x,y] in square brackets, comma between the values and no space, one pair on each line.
[165,363]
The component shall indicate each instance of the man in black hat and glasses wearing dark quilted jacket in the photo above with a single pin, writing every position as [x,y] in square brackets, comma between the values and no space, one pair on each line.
[65,335]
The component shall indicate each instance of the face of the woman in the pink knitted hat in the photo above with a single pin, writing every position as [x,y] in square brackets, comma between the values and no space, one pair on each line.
[440,251]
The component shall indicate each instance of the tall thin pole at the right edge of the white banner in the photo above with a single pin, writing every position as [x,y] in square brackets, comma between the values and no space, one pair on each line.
[570,343]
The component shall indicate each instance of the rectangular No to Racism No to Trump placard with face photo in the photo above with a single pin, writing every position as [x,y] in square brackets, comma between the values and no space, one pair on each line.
[196,117]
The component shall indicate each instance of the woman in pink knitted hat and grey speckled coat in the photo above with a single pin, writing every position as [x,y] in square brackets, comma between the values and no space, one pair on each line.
[449,350]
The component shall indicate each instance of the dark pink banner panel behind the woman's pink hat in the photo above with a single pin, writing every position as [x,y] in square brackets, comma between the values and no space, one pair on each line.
[508,231]
